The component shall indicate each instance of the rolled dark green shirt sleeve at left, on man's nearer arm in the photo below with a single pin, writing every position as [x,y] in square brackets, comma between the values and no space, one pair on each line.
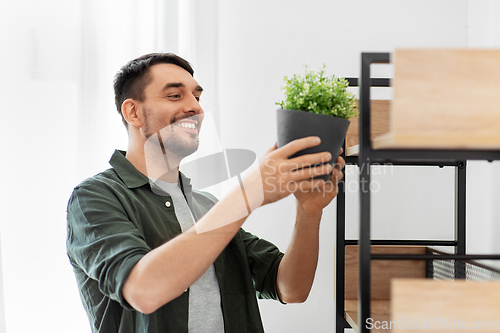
[101,239]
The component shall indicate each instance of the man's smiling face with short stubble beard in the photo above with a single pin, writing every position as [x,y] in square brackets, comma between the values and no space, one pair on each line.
[171,109]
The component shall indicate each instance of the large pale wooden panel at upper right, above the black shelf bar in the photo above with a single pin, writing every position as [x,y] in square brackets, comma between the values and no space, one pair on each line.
[444,99]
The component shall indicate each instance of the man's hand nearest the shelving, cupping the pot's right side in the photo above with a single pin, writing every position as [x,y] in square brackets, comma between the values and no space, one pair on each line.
[314,200]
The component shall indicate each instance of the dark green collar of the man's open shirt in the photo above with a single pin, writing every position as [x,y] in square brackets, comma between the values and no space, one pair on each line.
[134,178]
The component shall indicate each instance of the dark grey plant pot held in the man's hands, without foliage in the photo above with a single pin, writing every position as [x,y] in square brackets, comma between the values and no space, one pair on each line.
[293,124]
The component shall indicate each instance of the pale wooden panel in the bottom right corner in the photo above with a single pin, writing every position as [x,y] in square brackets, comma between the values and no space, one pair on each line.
[442,305]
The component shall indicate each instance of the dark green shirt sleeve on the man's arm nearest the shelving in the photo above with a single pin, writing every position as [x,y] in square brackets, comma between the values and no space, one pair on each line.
[264,259]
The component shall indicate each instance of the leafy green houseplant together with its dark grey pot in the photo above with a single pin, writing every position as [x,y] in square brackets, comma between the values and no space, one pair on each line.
[315,104]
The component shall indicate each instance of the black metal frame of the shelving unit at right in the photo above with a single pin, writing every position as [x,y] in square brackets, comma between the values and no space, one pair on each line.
[368,156]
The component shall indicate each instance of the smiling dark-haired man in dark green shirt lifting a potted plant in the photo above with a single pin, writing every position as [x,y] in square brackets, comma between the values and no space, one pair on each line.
[142,263]
